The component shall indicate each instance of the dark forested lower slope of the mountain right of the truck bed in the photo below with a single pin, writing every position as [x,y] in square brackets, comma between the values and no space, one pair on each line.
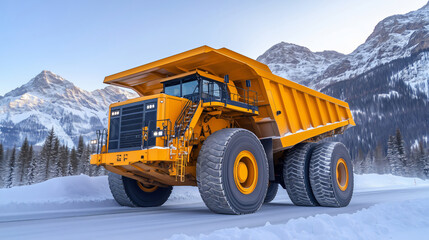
[382,101]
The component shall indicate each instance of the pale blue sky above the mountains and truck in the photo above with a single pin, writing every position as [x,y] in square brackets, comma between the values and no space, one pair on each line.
[84,41]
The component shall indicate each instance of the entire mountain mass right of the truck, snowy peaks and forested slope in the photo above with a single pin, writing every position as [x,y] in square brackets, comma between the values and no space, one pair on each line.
[385,80]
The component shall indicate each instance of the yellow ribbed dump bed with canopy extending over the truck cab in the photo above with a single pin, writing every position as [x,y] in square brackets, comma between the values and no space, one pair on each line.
[288,113]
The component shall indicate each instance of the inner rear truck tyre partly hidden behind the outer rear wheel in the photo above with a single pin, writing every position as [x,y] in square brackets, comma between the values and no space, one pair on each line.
[296,165]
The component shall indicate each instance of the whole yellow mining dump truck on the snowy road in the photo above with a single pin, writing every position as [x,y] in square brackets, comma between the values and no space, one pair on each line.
[221,121]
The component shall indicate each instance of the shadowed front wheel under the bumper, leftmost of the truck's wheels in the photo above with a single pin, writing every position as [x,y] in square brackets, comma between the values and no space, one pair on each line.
[132,193]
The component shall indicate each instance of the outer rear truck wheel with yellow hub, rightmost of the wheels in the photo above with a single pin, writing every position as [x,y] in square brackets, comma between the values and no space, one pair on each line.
[331,174]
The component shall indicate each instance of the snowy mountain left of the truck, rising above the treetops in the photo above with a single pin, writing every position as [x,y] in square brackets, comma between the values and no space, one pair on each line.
[50,101]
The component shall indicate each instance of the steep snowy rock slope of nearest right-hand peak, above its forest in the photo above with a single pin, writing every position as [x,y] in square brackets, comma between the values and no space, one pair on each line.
[395,37]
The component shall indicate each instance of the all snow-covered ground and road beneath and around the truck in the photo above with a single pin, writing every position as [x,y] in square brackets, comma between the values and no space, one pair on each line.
[383,206]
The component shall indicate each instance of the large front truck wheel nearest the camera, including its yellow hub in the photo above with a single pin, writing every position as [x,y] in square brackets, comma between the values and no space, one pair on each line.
[232,172]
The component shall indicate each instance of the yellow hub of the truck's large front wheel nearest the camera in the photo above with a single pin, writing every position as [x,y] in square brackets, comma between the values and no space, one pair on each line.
[245,172]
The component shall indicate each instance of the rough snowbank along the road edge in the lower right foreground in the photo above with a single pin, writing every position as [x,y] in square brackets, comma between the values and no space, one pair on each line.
[399,220]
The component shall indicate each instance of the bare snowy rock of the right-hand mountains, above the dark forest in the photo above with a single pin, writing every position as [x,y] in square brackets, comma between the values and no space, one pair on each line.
[395,37]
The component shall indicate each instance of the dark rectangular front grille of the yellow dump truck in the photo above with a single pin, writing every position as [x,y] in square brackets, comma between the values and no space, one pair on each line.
[126,127]
